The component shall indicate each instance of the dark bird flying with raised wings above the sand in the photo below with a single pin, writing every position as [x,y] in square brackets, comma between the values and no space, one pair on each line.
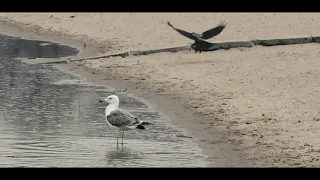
[200,44]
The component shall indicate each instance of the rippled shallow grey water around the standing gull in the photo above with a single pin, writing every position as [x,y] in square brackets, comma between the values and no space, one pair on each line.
[52,119]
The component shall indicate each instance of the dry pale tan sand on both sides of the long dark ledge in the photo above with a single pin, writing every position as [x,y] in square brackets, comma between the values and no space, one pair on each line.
[264,99]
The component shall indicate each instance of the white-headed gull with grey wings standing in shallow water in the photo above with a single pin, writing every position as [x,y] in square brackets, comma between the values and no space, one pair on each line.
[120,119]
